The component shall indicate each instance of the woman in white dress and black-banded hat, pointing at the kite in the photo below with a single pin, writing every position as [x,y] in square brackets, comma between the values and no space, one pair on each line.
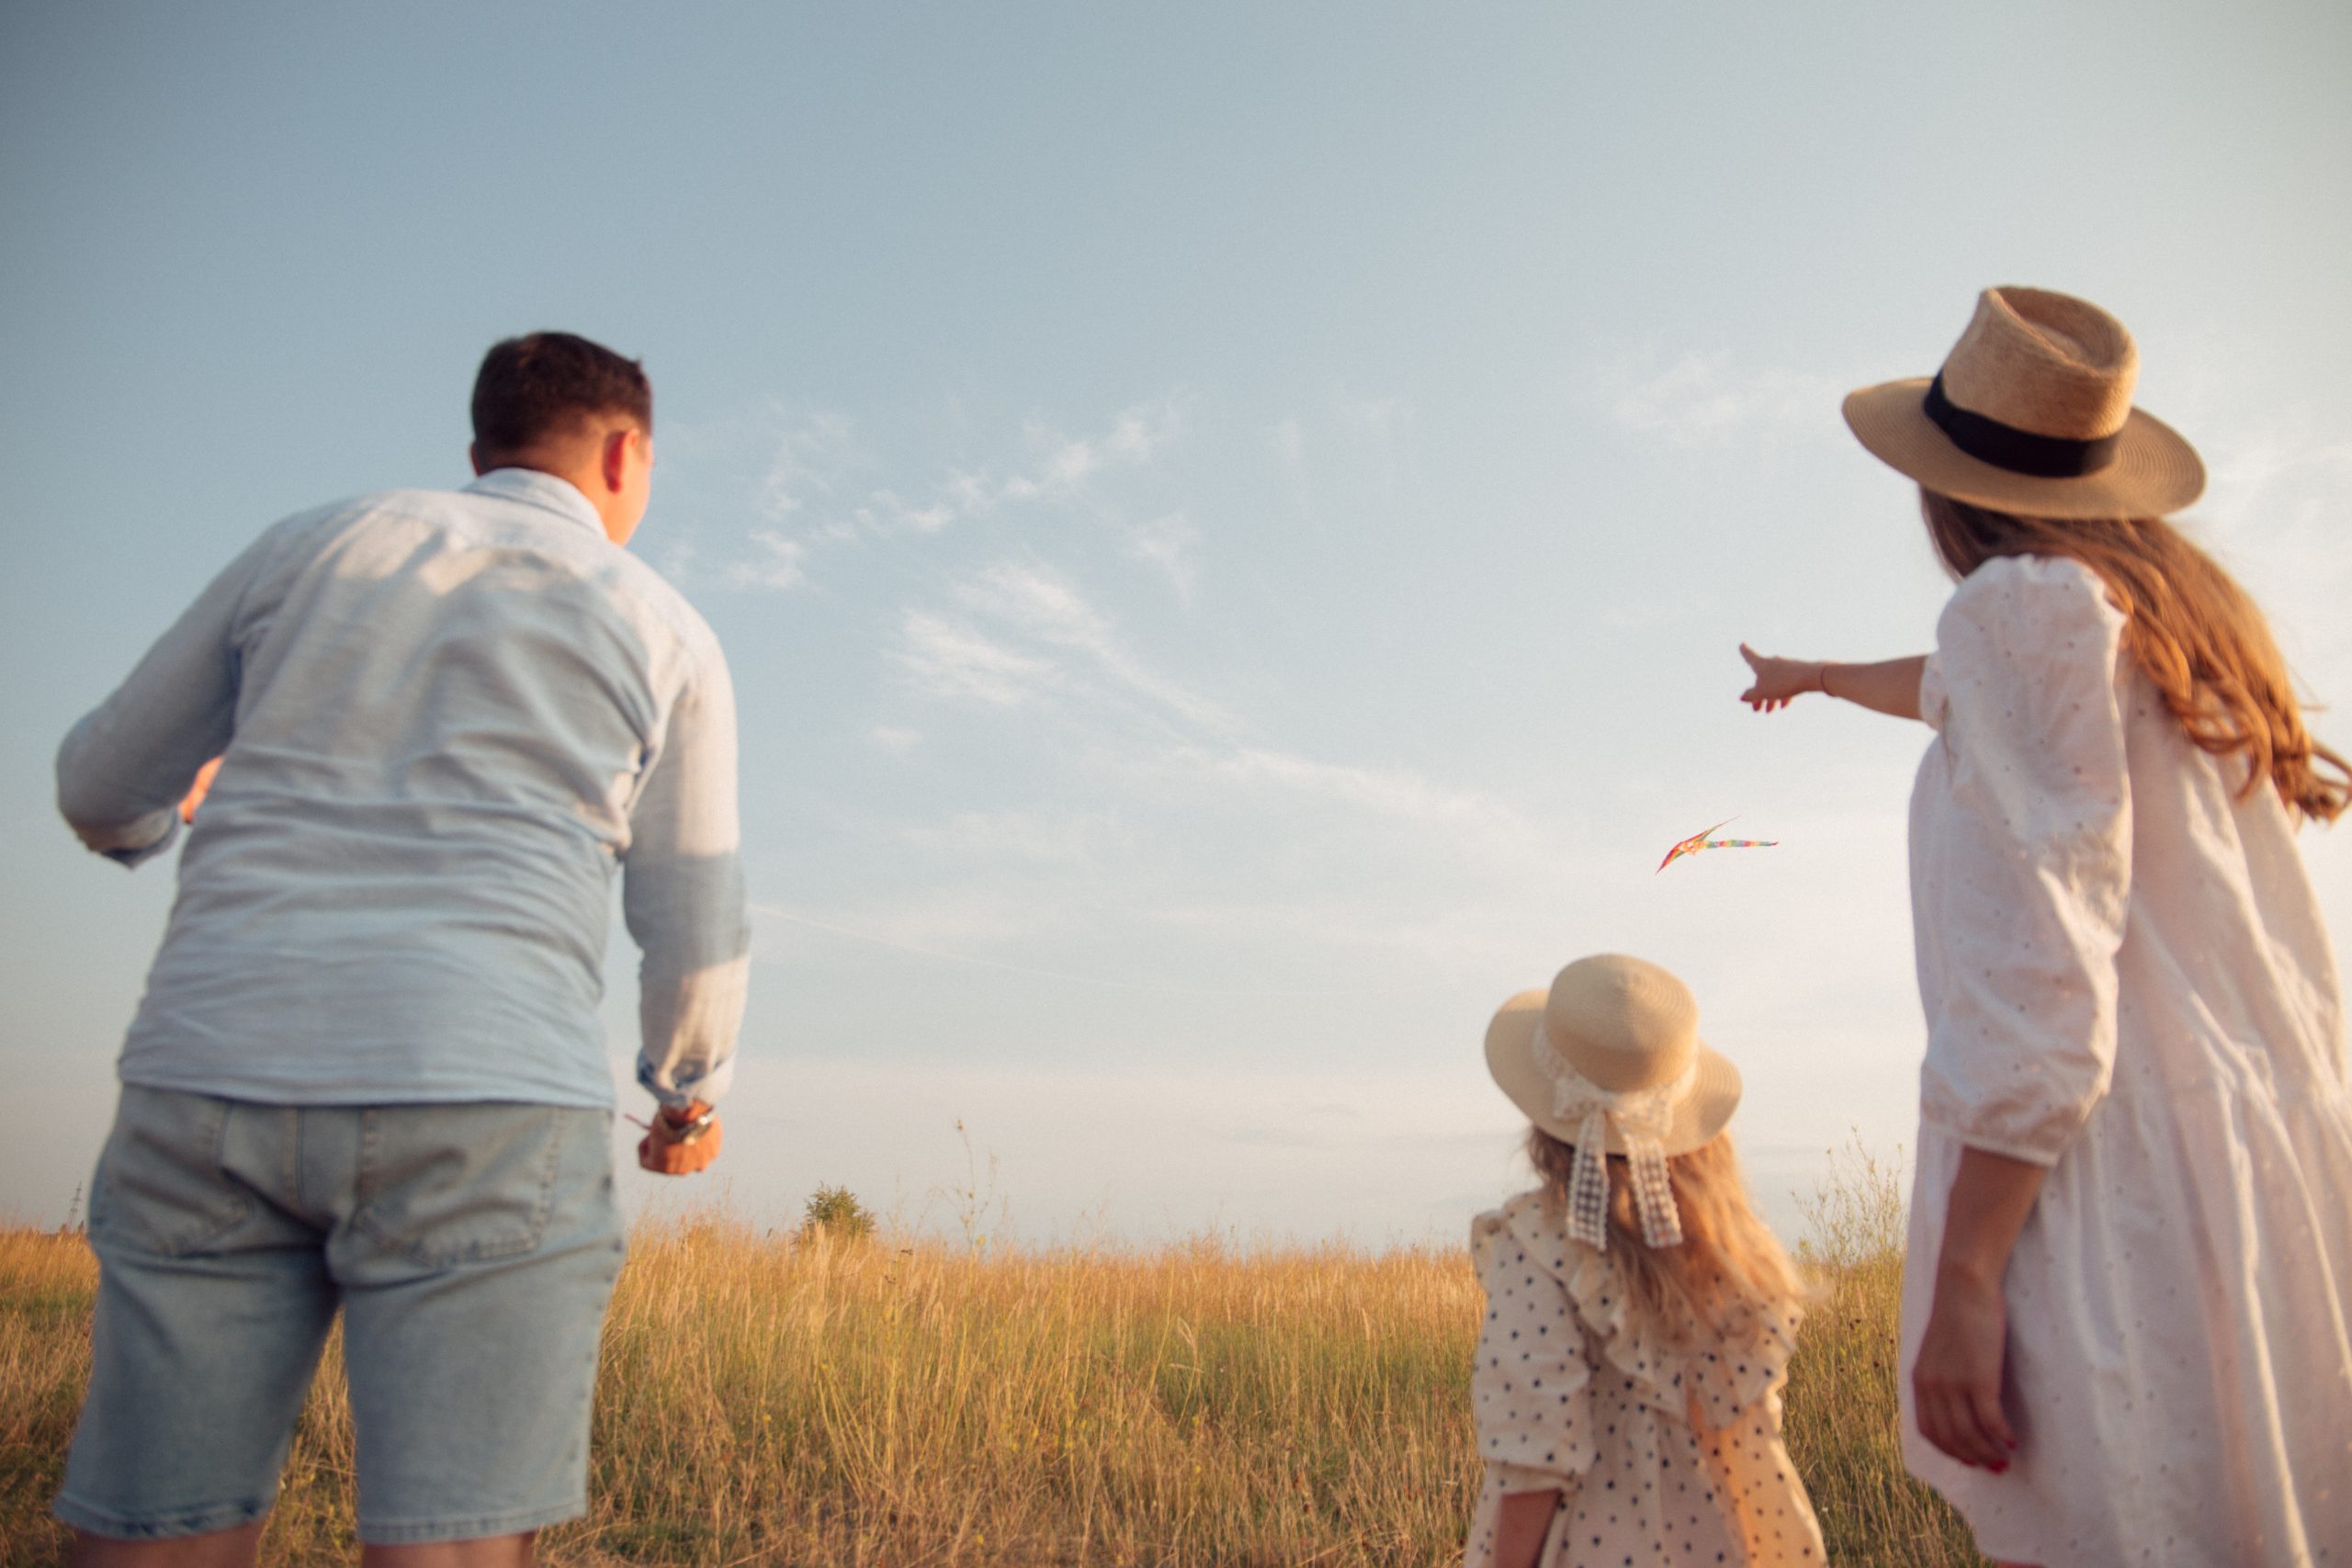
[2125,1318]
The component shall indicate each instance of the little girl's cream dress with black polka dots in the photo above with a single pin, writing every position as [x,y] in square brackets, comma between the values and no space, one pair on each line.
[1662,1454]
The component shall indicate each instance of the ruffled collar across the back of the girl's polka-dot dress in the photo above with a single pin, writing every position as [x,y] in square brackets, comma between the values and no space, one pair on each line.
[1723,1374]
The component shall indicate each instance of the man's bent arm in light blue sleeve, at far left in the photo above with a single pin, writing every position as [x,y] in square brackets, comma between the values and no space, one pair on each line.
[135,758]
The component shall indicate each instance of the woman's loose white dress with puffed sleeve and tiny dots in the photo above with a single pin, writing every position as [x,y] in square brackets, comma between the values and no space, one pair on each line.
[2127,981]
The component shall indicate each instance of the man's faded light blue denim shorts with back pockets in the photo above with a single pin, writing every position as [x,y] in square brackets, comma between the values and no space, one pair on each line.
[472,1249]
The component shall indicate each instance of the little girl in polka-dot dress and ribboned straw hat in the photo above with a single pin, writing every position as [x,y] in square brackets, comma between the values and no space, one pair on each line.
[1638,1313]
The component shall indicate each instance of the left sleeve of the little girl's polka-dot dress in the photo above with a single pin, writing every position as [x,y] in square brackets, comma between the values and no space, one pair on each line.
[1530,1381]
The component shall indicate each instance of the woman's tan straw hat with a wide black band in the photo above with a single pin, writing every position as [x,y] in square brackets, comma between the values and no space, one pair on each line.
[2033,415]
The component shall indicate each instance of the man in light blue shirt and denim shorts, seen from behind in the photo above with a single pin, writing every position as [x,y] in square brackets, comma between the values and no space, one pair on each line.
[368,1071]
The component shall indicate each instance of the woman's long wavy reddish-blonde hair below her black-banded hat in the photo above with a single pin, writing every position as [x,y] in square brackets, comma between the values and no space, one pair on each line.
[2196,634]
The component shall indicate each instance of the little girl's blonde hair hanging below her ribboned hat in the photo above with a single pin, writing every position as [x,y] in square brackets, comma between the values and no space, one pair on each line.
[1728,1268]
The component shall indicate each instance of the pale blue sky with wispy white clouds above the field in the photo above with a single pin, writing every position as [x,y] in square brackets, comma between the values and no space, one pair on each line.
[1231,523]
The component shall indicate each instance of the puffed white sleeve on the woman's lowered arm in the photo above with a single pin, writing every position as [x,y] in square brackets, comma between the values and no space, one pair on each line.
[2022,862]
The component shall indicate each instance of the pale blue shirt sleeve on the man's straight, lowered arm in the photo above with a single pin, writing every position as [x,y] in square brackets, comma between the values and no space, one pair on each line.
[683,894]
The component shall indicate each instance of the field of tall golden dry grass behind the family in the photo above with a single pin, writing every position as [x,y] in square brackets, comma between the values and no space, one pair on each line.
[914,1402]
